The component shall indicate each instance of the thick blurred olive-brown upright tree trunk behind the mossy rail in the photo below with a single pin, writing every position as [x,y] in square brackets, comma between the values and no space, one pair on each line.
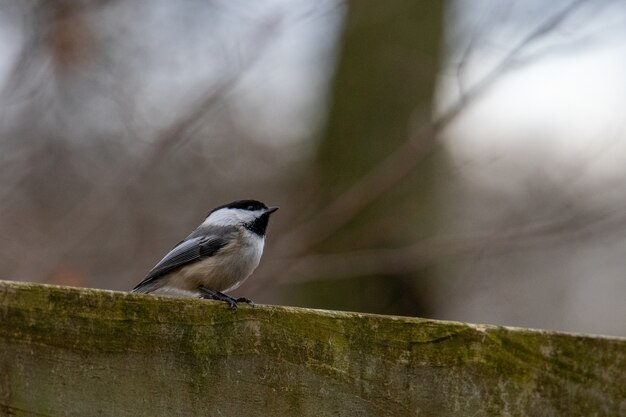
[384,83]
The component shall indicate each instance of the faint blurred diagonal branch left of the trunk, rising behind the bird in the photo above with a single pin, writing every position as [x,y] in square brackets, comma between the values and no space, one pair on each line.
[106,196]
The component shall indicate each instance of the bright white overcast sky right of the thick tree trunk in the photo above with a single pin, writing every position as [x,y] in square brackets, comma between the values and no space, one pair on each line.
[564,103]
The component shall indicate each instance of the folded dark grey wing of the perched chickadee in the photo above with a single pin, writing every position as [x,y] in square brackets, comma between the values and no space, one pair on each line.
[186,252]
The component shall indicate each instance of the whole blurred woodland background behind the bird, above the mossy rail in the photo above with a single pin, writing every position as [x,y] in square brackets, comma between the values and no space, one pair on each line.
[460,160]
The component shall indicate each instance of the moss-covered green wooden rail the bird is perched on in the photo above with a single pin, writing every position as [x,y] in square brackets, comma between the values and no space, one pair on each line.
[82,352]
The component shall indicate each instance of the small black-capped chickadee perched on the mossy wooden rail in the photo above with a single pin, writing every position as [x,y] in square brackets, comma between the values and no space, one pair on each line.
[217,257]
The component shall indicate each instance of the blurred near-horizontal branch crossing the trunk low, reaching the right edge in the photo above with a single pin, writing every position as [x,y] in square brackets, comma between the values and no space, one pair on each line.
[429,252]
